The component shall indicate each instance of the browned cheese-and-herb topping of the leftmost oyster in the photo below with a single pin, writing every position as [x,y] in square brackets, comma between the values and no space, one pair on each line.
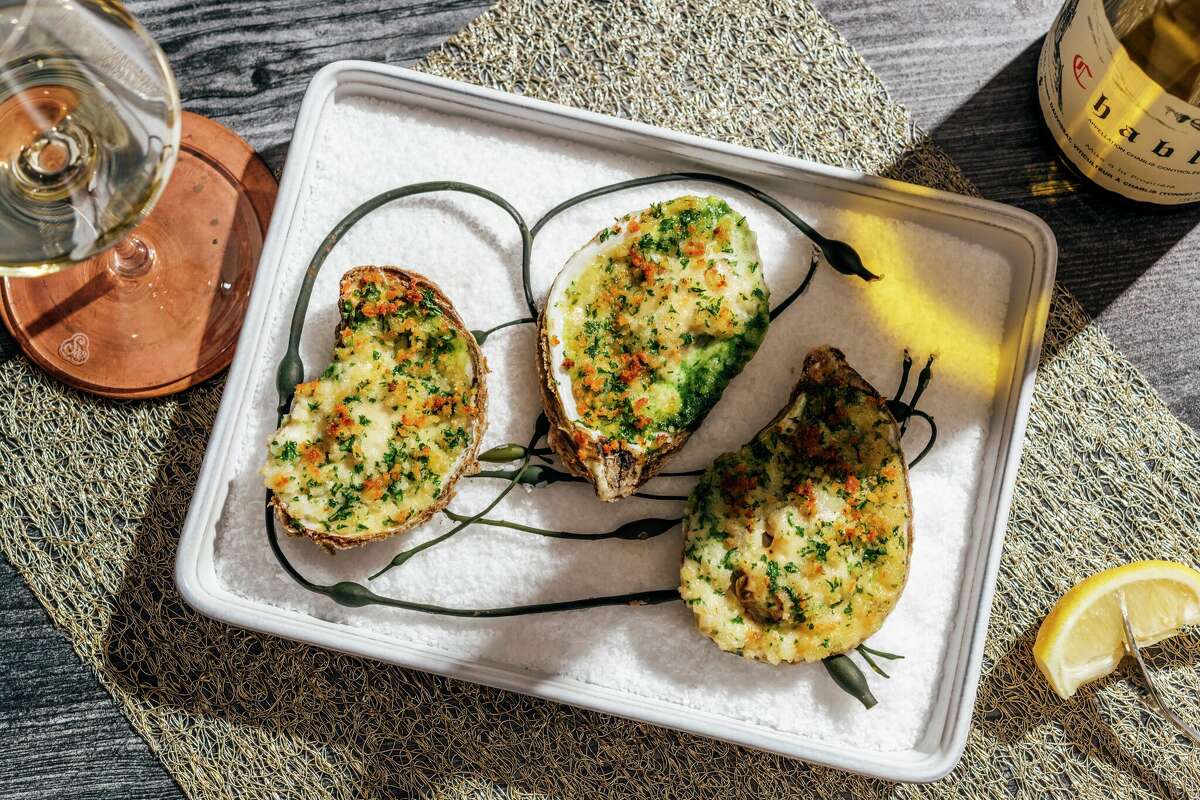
[369,444]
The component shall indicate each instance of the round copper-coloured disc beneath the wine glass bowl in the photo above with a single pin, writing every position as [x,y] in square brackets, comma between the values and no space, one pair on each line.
[178,326]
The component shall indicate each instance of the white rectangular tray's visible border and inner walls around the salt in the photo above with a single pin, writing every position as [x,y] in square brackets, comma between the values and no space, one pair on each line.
[1022,240]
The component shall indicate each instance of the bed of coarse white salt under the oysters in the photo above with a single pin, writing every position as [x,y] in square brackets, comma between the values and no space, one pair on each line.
[940,294]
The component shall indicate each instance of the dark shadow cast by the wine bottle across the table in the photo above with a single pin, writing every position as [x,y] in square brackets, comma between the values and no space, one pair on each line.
[999,141]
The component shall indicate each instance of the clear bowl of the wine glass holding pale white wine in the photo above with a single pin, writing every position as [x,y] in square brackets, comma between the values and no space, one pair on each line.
[89,130]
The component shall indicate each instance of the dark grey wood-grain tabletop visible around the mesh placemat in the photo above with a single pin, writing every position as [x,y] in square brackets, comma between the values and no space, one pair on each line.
[965,69]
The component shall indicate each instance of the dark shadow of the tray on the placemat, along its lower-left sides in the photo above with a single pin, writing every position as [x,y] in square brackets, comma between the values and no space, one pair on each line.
[301,717]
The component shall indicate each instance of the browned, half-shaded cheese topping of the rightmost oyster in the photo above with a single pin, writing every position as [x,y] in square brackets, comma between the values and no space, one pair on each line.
[796,546]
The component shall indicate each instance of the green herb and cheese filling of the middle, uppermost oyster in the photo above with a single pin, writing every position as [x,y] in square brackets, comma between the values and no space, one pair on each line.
[668,309]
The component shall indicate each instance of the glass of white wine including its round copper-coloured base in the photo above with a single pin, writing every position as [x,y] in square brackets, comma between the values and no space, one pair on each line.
[160,213]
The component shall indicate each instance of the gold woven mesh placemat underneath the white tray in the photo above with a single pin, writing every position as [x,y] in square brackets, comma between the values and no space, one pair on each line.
[93,496]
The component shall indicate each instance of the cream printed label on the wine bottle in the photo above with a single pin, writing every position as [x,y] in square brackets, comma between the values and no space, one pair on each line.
[1109,118]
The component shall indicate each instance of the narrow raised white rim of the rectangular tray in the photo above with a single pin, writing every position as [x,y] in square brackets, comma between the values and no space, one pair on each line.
[980,579]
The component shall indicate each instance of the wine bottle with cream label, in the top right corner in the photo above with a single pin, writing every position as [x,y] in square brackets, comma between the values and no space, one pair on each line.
[1119,83]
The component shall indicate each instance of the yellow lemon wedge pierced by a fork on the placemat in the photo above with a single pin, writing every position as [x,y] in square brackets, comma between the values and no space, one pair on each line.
[1083,639]
